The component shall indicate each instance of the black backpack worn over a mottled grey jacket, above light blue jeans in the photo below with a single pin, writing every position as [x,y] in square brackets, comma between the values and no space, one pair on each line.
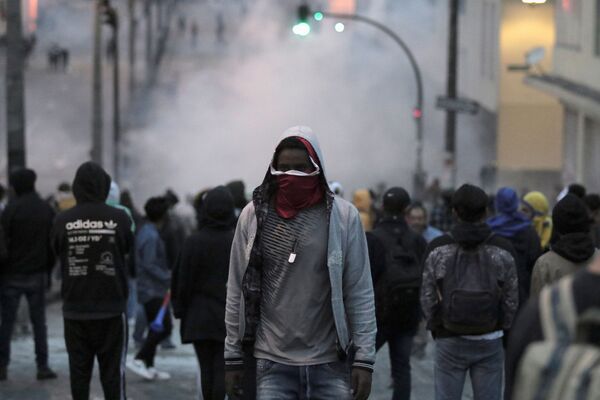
[470,293]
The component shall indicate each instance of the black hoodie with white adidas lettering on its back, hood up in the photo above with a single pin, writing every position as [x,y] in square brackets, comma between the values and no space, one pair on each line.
[91,240]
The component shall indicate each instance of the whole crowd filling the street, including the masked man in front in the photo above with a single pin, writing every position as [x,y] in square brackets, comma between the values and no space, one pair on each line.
[291,294]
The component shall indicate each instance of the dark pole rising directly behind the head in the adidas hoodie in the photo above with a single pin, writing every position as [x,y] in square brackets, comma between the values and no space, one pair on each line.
[97,108]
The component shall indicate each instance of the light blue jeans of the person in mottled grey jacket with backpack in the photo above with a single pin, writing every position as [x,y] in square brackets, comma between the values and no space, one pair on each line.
[483,359]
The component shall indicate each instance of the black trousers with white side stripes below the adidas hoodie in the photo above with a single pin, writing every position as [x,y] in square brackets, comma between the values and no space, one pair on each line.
[105,339]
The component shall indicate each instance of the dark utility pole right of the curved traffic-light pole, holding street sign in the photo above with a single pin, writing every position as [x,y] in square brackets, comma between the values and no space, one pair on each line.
[451,91]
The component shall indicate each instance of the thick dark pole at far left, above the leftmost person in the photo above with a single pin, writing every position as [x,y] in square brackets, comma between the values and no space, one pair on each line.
[15,85]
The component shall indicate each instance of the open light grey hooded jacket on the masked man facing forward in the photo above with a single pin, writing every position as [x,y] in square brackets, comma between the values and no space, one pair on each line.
[348,267]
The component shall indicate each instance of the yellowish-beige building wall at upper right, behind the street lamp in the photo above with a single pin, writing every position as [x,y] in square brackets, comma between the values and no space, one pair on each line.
[529,121]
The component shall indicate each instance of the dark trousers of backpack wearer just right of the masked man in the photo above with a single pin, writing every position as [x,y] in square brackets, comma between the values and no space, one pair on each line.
[400,348]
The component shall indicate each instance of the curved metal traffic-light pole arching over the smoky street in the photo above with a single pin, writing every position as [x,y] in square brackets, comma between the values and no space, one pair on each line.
[419,173]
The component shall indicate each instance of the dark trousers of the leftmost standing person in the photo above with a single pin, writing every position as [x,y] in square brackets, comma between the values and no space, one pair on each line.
[32,287]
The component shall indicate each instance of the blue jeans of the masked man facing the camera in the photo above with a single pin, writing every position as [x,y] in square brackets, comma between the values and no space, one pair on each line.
[276,381]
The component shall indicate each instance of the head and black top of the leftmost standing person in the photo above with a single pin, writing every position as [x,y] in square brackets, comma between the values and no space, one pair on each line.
[27,223]
